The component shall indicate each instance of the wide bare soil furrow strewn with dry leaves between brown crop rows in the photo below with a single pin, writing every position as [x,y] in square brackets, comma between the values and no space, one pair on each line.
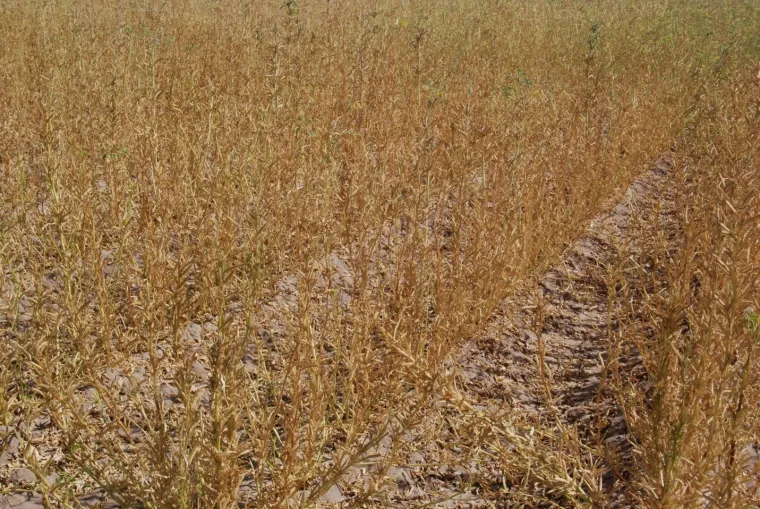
[562,319]
